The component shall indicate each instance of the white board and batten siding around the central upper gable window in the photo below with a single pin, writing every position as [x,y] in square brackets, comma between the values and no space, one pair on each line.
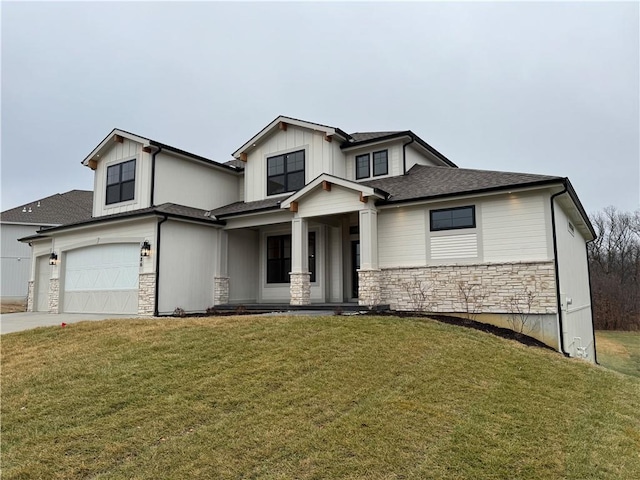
[320,157]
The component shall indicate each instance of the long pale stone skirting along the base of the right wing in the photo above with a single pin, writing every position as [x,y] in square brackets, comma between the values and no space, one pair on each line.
[480,288]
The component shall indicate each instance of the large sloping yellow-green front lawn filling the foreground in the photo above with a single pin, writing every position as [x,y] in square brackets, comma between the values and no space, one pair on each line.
[307,398]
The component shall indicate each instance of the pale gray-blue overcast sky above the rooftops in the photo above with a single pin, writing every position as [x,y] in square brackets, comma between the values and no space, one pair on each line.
[550,88]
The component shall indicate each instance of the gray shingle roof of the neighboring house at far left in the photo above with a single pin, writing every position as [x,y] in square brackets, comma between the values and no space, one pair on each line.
[57,209]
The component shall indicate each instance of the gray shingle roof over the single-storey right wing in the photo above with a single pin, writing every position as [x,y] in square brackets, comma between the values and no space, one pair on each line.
[423,182]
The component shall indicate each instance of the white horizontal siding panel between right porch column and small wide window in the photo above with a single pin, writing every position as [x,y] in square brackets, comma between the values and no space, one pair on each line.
[401,237]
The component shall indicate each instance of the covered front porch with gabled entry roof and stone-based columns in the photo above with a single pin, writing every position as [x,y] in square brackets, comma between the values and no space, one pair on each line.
[318,248]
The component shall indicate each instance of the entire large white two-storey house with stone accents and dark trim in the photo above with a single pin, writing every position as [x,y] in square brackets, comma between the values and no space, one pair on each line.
[306,213]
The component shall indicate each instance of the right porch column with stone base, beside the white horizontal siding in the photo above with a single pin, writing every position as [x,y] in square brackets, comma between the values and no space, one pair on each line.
[369,292]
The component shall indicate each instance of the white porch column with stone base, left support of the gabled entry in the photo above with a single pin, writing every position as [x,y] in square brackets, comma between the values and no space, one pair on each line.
[300,286]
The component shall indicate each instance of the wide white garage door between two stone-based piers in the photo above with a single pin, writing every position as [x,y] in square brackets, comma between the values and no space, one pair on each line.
[102,279]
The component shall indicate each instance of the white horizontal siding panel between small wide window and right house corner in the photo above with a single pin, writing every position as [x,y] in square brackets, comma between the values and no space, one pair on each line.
[514,229]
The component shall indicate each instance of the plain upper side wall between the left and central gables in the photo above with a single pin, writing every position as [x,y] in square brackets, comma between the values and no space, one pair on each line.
[192,183]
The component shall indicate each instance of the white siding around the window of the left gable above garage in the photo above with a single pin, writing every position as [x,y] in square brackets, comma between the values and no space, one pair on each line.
[122,152]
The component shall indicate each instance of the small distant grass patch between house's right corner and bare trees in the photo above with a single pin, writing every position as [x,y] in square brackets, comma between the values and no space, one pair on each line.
[619,351]
